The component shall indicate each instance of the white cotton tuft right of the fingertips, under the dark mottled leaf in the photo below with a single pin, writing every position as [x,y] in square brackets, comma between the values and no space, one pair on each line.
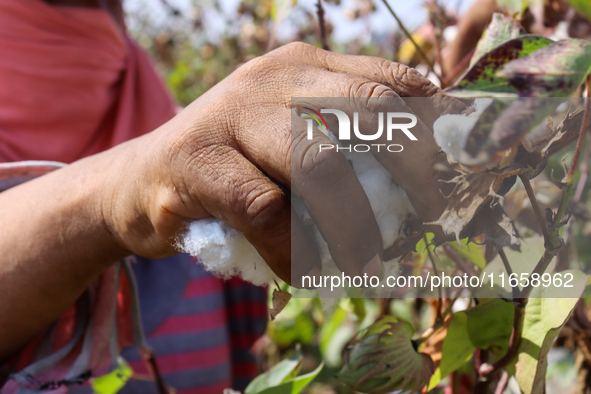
[451,131]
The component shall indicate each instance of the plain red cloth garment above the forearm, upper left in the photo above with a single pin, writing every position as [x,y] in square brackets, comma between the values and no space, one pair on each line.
[73,83]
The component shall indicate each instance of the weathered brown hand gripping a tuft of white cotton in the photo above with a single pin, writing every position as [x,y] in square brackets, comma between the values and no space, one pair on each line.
[227,154]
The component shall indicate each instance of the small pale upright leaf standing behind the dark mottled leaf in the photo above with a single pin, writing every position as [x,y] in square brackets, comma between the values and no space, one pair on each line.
[501,29]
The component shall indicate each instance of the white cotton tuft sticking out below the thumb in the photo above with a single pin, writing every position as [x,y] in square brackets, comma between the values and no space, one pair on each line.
[225,252]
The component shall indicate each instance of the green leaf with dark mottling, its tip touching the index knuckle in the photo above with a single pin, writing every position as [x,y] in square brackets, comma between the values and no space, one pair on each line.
[482,79]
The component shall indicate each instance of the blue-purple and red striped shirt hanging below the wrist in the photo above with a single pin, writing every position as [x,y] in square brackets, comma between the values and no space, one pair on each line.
[200,327]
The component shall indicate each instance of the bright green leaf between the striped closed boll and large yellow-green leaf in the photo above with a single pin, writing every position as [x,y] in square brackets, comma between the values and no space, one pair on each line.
[487,326]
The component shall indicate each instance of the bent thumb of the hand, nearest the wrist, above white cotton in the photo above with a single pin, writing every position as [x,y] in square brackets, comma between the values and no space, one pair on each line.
[232,189]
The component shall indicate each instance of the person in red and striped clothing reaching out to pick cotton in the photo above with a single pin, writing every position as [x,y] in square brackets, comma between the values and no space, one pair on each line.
[76,89]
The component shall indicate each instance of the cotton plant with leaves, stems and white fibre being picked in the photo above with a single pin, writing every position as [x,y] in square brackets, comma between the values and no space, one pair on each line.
[516,331]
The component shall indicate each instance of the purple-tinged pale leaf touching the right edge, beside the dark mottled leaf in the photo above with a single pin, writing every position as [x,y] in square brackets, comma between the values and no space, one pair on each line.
[554,71]
